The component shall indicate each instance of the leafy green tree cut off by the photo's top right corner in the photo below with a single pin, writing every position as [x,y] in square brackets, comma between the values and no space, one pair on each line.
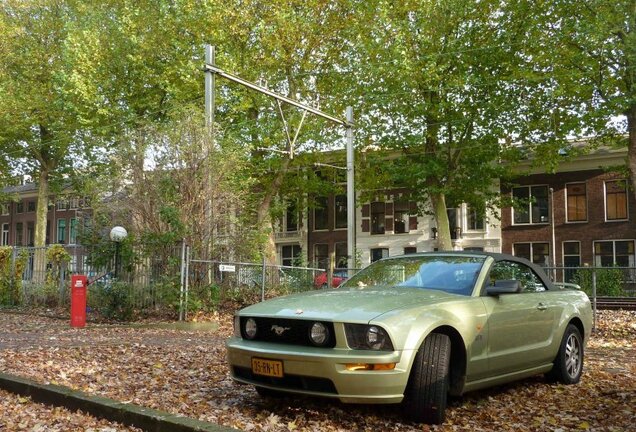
[586,52]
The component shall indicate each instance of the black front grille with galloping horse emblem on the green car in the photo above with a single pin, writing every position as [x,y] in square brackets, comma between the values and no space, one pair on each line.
[294,332]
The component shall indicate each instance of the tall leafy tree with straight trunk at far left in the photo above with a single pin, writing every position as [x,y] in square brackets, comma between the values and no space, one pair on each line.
[37,128]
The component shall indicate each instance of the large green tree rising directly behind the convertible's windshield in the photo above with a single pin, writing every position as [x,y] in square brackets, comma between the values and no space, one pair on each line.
[442,104]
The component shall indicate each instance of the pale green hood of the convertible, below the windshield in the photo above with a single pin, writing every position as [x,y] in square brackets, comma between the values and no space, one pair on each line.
[347,304]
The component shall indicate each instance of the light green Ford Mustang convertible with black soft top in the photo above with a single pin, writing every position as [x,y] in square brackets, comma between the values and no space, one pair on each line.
[413,329]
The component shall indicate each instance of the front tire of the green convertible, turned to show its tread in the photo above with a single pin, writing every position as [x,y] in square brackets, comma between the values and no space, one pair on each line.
[427,391]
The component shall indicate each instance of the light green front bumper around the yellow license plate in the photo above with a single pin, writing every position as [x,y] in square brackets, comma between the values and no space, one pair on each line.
[322,371]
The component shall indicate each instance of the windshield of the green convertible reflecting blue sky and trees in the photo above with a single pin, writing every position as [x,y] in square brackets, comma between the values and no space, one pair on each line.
[449,273]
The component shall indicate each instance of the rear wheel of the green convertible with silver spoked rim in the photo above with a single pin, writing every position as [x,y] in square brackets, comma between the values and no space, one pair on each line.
[568,364]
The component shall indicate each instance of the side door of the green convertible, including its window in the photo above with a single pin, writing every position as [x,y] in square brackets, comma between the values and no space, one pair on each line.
[520,325]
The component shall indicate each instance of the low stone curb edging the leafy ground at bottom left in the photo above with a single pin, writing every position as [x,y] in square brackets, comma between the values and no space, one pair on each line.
[147,419]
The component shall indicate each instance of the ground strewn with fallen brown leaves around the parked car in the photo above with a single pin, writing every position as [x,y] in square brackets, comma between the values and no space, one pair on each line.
[184,372]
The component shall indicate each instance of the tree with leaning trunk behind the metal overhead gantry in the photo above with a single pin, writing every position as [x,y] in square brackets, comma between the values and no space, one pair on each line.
[296,45]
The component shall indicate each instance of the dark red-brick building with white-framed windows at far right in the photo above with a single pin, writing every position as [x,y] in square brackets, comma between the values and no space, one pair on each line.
[581,215]
